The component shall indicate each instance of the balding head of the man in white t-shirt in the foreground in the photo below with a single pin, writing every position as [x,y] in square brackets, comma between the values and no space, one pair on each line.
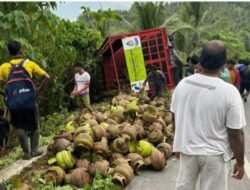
[213,56]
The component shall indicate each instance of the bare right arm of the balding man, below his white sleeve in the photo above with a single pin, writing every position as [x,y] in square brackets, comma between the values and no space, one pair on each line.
[237,144]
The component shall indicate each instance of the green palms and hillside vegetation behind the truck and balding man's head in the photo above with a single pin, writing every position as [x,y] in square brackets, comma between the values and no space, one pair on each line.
[192,24]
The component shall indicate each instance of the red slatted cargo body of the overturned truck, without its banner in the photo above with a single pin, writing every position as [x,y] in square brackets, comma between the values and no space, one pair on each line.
[155,51]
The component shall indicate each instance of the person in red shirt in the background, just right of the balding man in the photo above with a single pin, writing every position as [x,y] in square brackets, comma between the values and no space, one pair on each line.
[234,73]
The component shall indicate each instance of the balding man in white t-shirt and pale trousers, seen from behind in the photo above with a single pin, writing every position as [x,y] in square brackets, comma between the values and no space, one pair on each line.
[209,117]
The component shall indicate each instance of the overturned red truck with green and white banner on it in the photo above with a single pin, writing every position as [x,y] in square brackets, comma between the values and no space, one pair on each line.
[155,49]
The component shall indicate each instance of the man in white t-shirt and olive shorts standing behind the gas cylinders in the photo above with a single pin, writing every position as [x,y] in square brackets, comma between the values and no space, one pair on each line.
[81,88]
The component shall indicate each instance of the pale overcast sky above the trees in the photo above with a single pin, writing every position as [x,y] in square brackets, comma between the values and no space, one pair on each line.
[71,10]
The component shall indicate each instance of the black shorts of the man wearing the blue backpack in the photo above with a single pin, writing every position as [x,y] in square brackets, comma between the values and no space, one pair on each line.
[25,119]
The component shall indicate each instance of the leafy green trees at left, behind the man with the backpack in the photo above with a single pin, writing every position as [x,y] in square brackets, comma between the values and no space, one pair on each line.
[53,43]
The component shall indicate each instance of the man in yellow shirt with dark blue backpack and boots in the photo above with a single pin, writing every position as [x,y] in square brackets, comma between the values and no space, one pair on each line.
[20,97]
